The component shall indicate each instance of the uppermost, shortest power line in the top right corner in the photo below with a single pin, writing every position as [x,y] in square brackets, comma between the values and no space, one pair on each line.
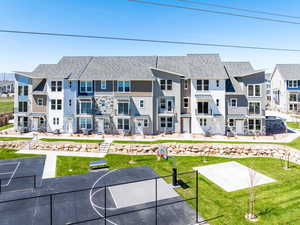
[239,9]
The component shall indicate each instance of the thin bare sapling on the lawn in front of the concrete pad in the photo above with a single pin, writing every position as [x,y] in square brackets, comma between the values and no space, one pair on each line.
[251,200]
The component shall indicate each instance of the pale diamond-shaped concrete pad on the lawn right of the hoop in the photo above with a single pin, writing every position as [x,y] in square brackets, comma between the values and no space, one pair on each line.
[232,176]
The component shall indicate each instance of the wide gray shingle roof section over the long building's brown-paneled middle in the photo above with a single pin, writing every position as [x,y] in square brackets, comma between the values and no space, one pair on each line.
[119,68]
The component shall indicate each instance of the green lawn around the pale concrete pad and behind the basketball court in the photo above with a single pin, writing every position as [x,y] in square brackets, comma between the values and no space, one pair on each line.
[276,203]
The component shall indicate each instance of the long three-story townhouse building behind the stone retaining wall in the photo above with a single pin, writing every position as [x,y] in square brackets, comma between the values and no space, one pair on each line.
[128,95]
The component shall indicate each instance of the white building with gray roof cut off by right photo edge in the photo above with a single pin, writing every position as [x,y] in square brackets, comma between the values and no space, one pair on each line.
[285,83]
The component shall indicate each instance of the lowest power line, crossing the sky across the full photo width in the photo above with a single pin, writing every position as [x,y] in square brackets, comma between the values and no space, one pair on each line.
[147,40]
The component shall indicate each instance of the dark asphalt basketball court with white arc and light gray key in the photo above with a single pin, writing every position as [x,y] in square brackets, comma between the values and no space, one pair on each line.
[116,197]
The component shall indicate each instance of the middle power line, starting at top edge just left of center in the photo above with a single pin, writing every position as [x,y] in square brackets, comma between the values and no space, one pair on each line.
[214,12]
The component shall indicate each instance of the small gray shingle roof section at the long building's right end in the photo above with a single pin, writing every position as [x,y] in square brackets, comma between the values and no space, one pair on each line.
[238,69]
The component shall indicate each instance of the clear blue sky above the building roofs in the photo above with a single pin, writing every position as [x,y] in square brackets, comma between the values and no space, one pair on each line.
[127,19]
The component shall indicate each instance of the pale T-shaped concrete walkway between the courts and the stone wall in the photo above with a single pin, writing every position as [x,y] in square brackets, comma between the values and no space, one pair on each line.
[50,164]
